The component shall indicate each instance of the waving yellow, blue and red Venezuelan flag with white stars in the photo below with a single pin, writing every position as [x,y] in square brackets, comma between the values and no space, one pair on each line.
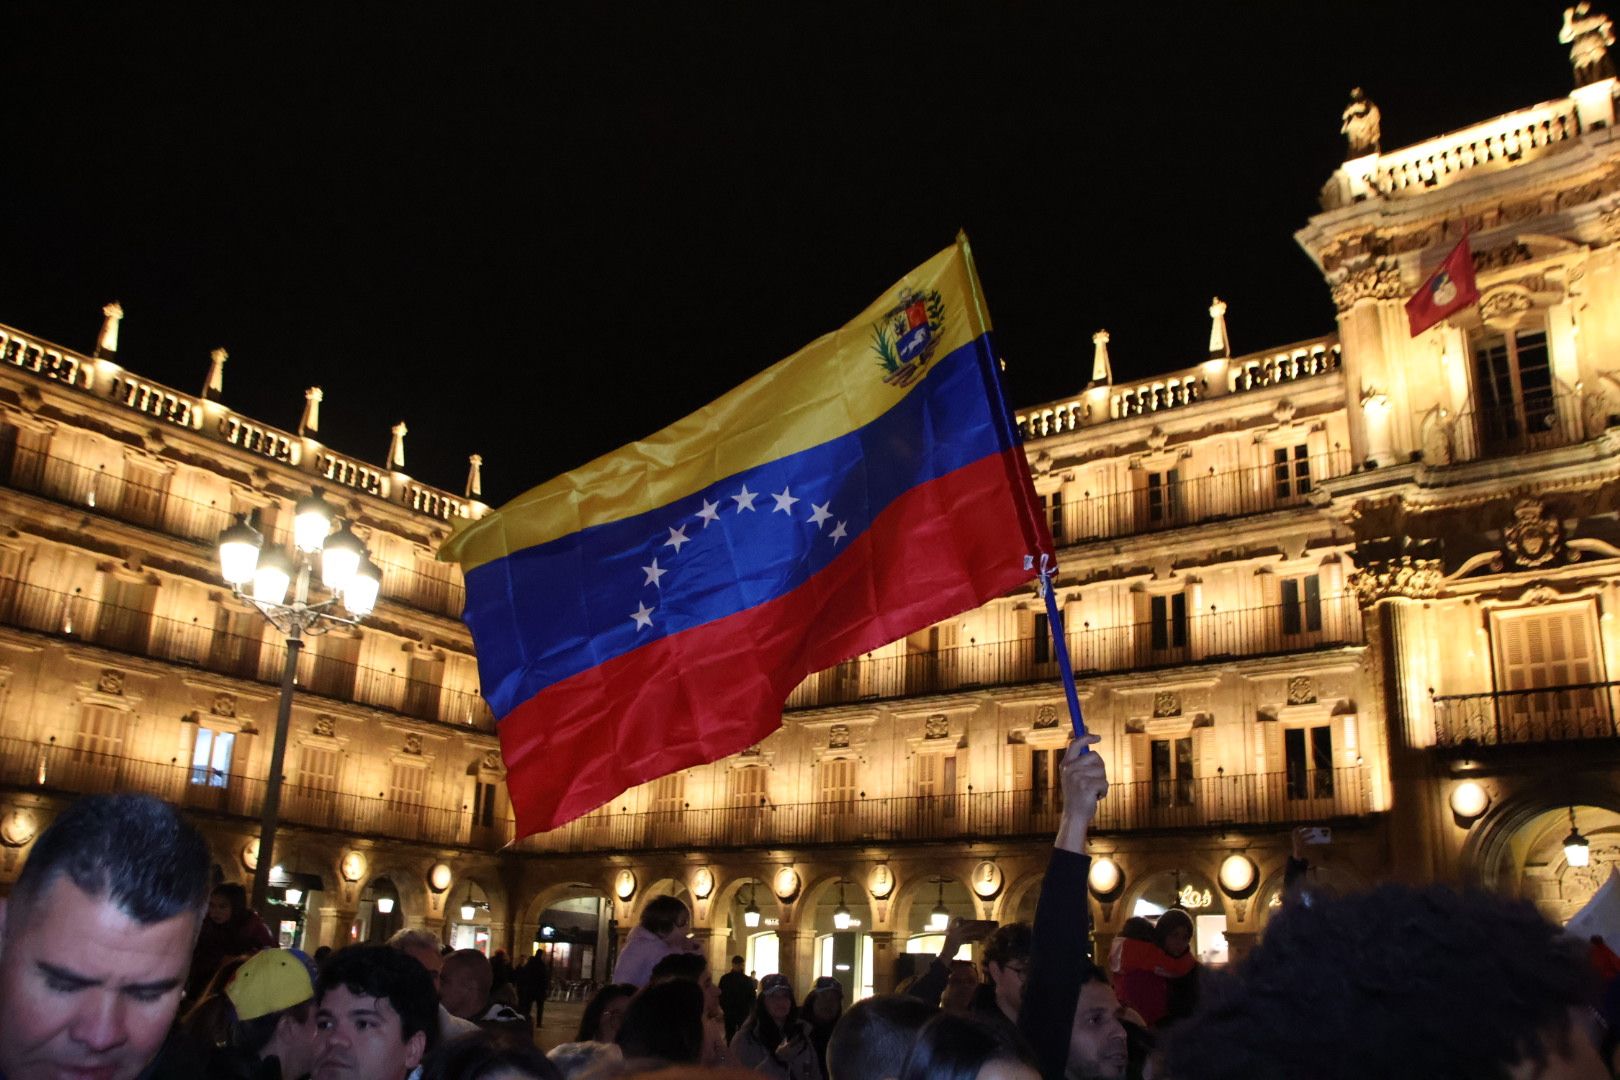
[654,610]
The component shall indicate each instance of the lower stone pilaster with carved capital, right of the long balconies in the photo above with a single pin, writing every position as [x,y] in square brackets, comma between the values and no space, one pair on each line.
[1391,593]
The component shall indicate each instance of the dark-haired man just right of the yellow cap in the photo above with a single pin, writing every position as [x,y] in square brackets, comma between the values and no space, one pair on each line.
[377,1016]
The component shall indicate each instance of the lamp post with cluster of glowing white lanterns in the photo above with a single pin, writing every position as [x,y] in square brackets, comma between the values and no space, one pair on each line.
[352,580]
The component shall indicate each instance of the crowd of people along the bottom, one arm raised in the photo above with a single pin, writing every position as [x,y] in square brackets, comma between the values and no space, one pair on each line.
[121,959]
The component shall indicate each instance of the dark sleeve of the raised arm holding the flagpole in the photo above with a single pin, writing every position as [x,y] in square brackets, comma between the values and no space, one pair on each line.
[1060,956]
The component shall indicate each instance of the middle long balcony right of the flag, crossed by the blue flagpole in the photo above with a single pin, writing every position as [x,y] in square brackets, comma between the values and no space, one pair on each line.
[1268,631]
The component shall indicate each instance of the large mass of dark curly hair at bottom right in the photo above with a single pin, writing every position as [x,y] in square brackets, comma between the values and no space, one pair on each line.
[1392,982]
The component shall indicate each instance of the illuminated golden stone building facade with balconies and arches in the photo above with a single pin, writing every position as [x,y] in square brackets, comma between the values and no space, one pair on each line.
[1362,582]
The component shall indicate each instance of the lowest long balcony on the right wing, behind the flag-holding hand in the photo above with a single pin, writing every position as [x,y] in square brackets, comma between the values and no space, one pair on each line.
[1266,799]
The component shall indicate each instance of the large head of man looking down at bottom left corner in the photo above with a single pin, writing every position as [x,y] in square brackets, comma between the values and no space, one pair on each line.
[96,940]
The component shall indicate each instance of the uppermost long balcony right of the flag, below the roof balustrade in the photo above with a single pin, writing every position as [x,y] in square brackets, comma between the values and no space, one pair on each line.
[1195,500]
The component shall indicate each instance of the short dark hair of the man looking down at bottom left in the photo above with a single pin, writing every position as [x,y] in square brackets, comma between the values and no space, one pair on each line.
[135,851]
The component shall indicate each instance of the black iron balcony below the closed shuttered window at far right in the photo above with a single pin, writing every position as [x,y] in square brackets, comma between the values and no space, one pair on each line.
[1509,718]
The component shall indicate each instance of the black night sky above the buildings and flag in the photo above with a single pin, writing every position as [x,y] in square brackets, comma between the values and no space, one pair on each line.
[540,231]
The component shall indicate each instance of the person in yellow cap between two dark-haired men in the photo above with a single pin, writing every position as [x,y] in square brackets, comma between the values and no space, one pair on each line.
[275,1029]
